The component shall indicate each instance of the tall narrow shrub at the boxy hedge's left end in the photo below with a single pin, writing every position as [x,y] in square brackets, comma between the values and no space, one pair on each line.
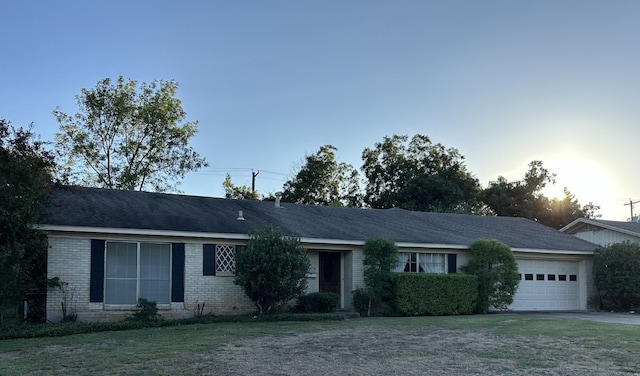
[380,259]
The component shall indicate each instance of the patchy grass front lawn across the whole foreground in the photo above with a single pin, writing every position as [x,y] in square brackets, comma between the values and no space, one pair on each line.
[498,344]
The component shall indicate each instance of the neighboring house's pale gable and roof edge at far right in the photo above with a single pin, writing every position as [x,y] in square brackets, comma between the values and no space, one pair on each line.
[603,232]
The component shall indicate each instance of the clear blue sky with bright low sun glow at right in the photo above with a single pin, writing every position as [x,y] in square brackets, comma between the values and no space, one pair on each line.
[269,81]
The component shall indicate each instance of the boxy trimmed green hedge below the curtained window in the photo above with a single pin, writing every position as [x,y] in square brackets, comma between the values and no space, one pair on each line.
[435,294]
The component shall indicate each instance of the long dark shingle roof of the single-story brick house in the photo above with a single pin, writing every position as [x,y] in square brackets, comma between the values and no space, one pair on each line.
[93,207]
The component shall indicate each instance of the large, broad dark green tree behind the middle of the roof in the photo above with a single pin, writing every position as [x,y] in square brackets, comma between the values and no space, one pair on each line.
[418,175]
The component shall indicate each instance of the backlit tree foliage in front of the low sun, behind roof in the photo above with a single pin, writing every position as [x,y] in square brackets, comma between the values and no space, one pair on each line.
[524,198]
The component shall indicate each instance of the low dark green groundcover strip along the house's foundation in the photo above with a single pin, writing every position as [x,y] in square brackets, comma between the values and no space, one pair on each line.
[65,329]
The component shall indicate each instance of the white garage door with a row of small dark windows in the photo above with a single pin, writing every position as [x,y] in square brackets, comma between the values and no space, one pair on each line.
[547,286]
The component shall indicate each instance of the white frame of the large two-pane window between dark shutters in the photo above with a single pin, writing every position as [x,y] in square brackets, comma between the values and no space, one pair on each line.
[138,273]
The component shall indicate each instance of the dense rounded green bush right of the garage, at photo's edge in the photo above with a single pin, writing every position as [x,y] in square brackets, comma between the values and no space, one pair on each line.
[616,274]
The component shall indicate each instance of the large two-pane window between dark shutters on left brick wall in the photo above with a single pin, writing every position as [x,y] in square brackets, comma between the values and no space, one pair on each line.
[137,270]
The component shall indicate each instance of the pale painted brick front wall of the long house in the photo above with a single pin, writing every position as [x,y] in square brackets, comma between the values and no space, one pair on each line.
[70,256]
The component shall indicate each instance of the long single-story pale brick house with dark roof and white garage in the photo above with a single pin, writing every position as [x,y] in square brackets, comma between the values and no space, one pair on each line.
[112,247]
